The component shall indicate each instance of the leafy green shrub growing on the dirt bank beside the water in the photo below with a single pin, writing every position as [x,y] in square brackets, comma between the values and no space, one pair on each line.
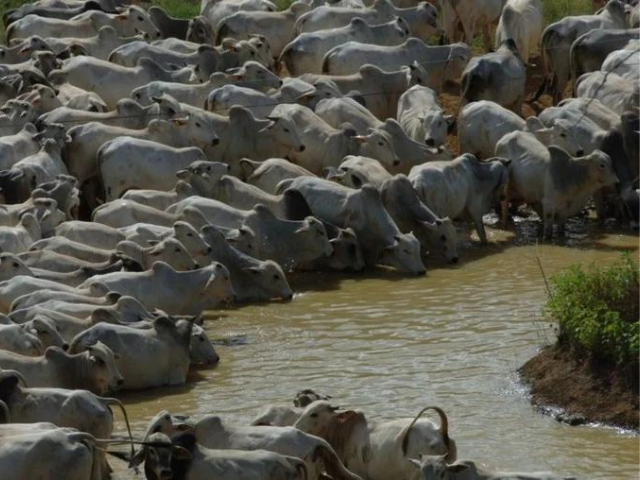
[597,311]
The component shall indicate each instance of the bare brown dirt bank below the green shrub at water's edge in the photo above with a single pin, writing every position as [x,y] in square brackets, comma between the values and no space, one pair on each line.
[584,389]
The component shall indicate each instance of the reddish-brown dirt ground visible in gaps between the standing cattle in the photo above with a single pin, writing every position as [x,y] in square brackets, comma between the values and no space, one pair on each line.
[450,99]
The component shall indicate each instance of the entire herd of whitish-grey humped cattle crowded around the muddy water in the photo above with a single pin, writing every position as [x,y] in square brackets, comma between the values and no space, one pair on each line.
[153,168]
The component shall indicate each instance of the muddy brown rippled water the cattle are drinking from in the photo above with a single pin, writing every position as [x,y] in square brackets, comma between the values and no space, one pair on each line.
[391,345]
